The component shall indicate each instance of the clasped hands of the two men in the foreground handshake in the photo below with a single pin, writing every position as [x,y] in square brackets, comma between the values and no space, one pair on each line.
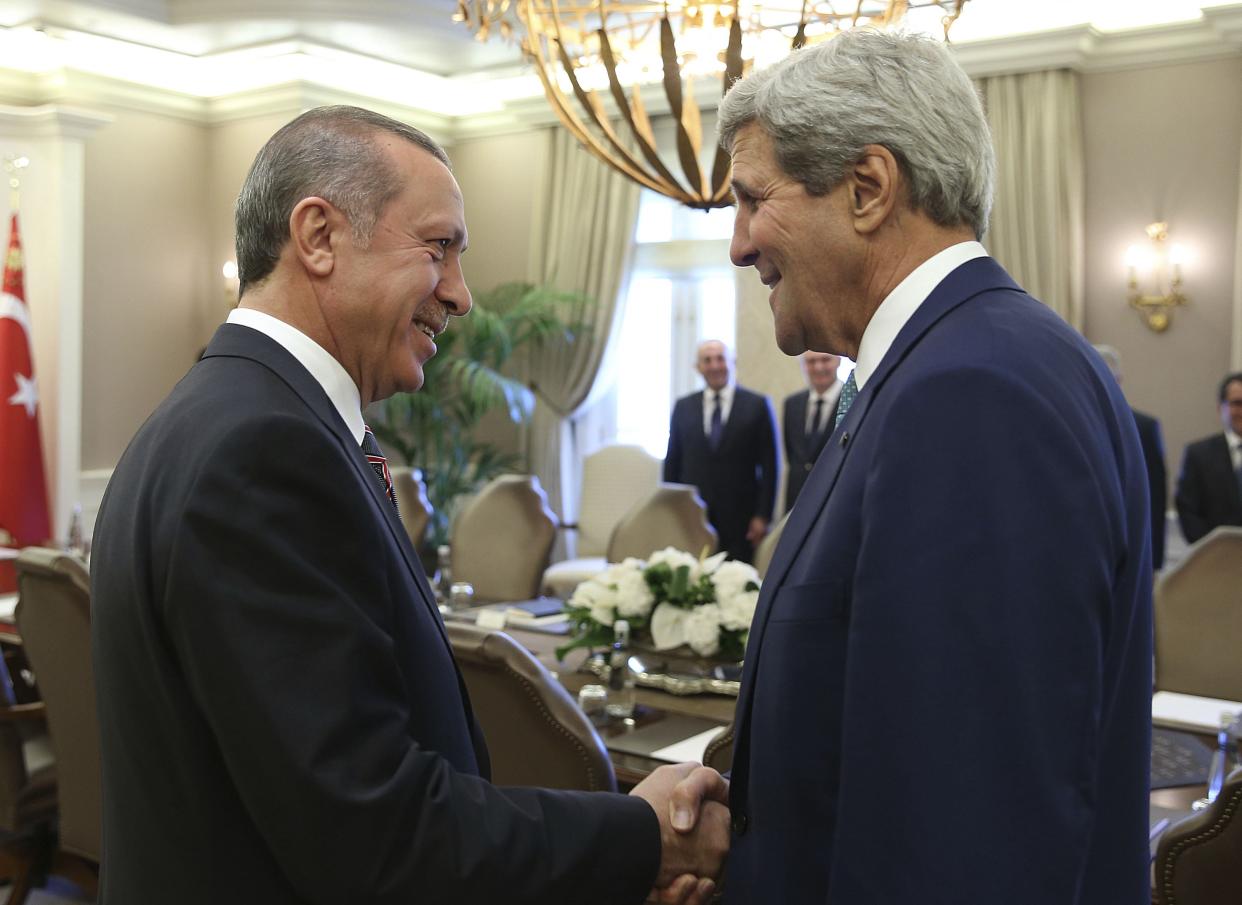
[692,805]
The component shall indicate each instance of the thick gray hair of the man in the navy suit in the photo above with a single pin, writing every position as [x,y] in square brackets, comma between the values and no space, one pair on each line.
[823,105]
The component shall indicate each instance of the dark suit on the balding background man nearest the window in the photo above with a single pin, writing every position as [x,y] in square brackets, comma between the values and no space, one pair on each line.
[737,481]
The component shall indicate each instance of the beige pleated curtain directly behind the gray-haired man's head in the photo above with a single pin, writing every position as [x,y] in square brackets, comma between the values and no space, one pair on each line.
[1038,219]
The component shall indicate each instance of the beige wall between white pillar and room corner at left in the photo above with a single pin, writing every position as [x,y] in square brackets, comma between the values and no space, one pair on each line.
[147,290]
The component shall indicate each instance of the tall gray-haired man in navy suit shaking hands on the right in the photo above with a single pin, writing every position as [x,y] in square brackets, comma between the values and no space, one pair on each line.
[947,695]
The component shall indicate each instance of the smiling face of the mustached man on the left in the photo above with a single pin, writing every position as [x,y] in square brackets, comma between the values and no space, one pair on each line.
[392,297]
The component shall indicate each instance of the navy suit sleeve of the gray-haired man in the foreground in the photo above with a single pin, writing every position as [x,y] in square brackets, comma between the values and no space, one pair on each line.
[990,539]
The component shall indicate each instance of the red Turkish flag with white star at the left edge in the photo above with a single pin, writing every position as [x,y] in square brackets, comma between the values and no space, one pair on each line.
[24,518]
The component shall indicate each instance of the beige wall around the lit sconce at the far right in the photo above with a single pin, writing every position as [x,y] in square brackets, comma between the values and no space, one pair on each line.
[1164,143]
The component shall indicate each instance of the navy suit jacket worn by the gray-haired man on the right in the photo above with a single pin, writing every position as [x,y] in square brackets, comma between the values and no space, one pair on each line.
[947,687]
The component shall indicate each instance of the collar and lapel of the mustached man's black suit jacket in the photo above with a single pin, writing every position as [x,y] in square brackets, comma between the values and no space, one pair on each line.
[243,342]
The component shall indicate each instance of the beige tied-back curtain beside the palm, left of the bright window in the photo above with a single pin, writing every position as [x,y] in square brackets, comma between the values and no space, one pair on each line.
[582,241]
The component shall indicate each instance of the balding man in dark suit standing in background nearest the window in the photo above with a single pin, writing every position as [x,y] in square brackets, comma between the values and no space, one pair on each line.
[723,441]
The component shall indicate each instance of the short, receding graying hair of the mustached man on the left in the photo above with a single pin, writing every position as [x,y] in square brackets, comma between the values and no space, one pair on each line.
[331,153]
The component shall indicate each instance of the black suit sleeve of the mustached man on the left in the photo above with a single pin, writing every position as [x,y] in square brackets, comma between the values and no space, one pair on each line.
[284,625]
